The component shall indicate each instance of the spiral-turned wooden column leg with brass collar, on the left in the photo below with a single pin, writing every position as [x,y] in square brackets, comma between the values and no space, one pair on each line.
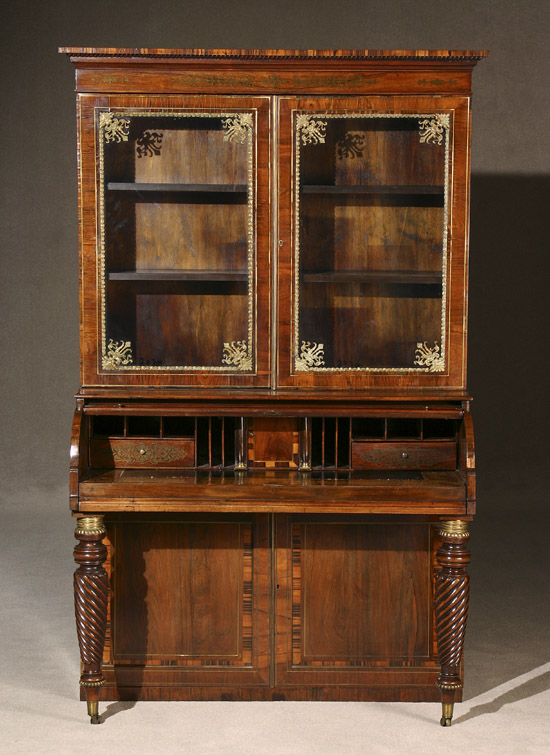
[90,600]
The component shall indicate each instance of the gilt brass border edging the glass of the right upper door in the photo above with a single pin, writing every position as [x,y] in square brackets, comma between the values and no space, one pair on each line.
[434,121]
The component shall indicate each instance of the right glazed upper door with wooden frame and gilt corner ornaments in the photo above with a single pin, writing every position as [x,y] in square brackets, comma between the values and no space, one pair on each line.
[372,250]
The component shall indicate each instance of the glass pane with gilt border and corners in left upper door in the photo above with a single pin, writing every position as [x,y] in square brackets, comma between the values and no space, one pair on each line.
[177,240]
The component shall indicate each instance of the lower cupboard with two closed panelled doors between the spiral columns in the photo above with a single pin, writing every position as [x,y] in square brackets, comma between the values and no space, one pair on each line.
[255,606]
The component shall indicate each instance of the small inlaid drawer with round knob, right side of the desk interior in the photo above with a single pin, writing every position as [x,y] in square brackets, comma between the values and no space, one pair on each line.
[412,455]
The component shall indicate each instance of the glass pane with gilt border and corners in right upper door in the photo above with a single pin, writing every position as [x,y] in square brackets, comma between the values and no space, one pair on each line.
[370,241]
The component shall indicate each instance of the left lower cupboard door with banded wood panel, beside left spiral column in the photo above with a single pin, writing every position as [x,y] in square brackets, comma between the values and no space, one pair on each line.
[190,603]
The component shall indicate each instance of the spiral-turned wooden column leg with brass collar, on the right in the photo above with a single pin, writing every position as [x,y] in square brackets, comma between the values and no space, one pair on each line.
[452,591]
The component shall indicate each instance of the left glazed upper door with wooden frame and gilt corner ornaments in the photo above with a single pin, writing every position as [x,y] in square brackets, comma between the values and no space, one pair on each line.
[175,256]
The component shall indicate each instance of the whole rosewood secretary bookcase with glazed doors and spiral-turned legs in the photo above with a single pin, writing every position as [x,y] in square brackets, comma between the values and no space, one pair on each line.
[272,454]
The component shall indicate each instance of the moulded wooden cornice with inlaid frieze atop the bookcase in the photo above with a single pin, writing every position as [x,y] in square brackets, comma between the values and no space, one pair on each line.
[179,71]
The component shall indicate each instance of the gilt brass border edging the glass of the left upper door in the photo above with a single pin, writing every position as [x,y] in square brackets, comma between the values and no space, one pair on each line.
[247,125]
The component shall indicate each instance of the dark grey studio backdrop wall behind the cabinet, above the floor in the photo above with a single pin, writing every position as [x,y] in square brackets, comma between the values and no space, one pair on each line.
[510,190]
